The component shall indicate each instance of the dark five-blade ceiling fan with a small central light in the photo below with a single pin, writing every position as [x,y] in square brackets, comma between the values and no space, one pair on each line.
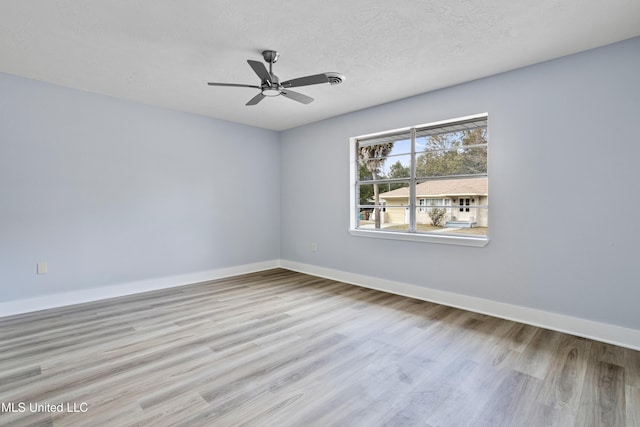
[270,85]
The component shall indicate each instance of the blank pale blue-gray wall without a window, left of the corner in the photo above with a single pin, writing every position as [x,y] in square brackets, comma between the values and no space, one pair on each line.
[108,192]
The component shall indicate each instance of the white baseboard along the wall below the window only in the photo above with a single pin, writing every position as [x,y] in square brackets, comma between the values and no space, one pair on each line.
[598,331]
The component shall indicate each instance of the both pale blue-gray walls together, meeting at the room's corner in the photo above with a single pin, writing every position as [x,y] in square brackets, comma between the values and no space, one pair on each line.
[110,192]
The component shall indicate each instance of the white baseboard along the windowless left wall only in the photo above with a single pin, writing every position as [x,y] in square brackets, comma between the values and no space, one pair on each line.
[10,308]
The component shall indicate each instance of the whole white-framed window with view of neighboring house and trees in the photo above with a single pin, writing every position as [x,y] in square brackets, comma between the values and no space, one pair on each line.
[406,183]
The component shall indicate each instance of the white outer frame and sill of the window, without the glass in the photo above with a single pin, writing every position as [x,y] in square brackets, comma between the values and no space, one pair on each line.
[462,240]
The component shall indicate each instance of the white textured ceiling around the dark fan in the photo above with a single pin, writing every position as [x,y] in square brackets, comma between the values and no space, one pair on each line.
[162,52]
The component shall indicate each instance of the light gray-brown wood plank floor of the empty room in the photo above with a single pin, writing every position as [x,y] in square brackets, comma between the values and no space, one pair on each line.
[279,348]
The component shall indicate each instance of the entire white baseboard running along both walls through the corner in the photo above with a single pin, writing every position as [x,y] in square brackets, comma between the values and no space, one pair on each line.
[598,331]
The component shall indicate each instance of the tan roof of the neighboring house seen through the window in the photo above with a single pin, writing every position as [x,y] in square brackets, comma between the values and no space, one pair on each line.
[443,188]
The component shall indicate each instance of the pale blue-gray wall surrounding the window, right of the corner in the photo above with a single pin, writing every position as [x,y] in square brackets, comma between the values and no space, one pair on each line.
[564,198]
